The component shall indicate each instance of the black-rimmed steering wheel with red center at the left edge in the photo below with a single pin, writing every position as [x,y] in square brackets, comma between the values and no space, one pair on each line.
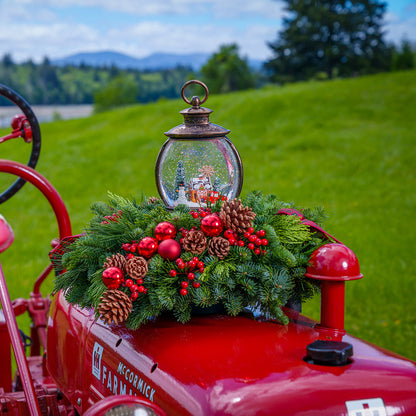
[26,126]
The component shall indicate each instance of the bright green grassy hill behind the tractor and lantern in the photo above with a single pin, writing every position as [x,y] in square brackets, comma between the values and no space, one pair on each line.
[347,145]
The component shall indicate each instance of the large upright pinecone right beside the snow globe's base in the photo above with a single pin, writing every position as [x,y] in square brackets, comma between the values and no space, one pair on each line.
[233,215]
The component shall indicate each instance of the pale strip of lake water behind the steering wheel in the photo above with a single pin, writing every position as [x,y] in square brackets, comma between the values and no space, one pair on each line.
[46,113]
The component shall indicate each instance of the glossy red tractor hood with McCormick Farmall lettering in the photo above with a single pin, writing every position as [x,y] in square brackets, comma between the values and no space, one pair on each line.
[221,365]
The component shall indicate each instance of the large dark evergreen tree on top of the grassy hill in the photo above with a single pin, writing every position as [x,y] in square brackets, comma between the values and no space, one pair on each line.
[330,37]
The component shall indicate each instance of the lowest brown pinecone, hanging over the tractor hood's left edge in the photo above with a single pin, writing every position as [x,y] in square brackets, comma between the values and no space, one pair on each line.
[115,306]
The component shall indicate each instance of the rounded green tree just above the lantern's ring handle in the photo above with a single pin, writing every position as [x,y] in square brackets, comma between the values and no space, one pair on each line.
[226,71]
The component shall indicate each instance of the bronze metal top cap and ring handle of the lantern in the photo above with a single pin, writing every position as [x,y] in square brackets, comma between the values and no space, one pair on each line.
[196,118]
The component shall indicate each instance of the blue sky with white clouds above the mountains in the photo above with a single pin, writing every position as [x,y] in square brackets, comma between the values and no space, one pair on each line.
[33,29]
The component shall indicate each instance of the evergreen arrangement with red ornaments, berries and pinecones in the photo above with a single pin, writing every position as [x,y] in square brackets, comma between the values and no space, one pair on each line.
[136,261]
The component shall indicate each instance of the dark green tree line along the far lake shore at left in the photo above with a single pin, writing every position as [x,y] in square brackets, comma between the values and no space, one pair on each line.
[48,84]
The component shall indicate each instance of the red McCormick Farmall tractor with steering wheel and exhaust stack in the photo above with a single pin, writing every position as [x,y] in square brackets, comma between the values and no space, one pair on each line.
[215,364]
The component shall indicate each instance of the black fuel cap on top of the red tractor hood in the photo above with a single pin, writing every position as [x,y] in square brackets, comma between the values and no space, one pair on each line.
[332,353]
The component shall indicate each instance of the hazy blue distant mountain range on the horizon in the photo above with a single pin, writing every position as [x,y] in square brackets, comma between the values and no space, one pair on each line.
[155,61]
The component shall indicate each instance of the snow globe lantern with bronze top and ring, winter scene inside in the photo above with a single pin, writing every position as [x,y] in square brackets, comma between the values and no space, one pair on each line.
[198,164]
